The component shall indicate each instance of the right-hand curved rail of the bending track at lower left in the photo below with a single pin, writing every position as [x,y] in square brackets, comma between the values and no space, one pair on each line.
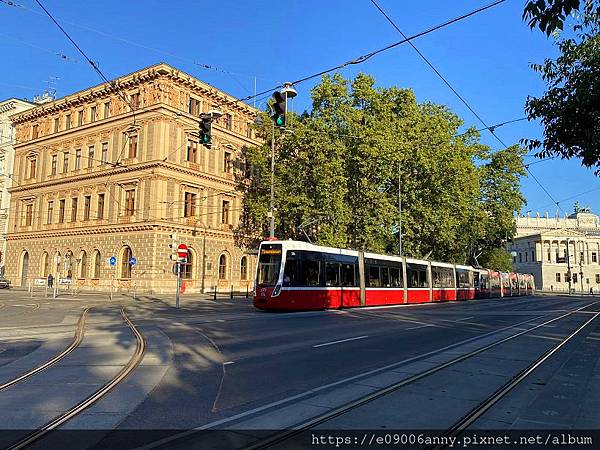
[131,365]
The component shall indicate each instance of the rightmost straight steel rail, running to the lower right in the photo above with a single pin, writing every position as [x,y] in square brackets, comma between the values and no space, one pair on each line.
[485,405]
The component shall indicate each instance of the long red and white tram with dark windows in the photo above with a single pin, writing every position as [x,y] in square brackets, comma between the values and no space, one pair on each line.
[297,275]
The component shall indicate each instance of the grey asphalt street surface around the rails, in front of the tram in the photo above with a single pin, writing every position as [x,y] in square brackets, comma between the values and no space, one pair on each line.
[224,364]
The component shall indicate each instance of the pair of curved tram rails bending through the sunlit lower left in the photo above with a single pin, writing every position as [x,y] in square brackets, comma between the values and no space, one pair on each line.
[91,399]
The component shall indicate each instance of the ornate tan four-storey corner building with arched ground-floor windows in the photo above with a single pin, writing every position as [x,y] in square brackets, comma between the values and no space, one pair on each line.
[114,170]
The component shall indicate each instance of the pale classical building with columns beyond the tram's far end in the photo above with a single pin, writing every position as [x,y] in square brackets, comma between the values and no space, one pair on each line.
[540,247]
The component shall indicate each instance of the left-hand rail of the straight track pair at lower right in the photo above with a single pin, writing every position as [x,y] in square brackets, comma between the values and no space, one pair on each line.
[285,435]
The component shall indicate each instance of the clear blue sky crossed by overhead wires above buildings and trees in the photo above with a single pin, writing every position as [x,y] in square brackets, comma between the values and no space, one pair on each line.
[485,57]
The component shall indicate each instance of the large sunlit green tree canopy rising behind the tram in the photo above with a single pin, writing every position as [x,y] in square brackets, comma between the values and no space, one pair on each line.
[339,169]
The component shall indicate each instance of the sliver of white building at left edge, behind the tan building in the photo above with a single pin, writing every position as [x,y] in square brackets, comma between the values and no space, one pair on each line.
[7,158]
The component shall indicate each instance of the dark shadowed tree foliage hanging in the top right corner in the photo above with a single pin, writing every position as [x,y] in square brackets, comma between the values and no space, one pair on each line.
[570,108]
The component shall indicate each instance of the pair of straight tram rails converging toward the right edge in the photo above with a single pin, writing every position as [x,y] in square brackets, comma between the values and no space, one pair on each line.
[465,421]
